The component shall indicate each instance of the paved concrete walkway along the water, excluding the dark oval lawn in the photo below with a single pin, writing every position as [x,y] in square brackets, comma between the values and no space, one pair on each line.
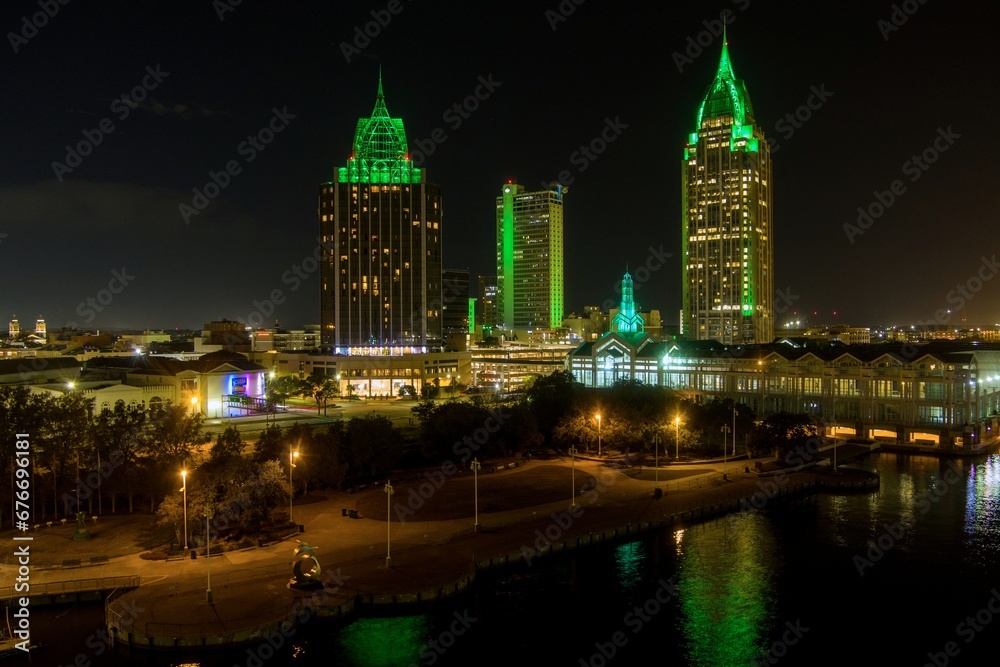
[251,599]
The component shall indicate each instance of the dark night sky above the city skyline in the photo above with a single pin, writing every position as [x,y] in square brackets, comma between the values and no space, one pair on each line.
[111,229]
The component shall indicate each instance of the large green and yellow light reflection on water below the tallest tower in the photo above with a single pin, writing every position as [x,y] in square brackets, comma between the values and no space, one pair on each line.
[725,587]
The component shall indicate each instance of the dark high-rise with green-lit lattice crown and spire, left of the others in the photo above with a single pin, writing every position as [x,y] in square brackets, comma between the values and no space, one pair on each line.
[380,227]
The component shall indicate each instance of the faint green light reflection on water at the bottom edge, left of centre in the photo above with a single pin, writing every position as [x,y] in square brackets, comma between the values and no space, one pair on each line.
[385,642]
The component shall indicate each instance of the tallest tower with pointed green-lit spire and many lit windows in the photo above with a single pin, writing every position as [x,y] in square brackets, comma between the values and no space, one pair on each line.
[727,242]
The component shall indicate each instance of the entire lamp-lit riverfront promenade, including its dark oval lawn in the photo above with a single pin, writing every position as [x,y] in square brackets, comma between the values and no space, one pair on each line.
[431,557]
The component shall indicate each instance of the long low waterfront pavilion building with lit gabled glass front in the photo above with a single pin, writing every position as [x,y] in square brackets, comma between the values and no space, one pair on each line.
[938,394]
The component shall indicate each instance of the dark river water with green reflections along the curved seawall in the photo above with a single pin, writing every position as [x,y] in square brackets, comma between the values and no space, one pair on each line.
[906,575]
